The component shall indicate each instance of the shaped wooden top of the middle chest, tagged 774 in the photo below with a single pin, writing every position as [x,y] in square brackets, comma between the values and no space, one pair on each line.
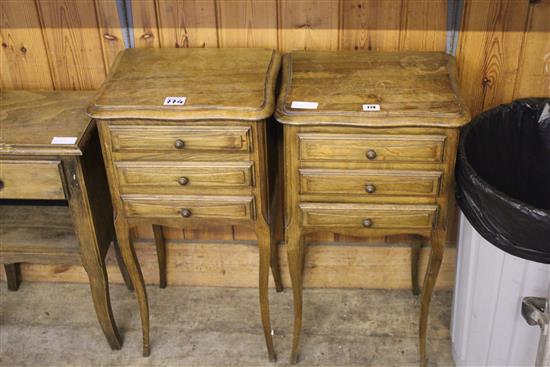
[217,84]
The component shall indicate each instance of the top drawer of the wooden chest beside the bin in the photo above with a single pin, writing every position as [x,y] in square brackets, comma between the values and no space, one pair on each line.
[380,148]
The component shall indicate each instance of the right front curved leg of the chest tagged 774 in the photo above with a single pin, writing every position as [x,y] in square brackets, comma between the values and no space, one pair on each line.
[263,234]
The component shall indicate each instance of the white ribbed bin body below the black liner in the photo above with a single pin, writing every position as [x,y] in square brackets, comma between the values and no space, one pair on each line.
[487,328]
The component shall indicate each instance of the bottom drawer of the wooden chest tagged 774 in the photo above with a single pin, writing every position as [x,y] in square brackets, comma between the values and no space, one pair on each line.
[199,207]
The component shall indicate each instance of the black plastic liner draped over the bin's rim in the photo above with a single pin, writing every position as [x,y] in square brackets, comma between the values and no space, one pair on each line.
[503,177]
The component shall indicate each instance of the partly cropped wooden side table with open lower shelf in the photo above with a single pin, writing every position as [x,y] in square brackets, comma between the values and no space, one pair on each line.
[54,199]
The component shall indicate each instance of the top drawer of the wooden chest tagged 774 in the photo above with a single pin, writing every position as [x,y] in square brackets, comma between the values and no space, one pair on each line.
[175,138]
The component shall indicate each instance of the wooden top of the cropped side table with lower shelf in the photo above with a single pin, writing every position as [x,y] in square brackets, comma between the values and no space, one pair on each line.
[30,120]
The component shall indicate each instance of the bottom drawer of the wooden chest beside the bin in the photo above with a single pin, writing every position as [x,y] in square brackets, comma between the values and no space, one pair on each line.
[380,216]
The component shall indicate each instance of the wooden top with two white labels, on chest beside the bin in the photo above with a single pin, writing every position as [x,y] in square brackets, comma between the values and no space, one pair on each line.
[410,88]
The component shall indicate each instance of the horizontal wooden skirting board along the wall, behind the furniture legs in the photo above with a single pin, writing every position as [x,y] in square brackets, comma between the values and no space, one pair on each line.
[220,264]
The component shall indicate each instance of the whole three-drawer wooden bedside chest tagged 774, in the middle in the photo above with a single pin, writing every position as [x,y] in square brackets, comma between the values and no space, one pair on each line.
[184,135]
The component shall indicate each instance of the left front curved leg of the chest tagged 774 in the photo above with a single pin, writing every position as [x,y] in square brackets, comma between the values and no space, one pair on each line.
[134,269]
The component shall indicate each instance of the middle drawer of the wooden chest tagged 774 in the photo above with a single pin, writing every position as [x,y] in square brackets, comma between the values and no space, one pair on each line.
[176,177]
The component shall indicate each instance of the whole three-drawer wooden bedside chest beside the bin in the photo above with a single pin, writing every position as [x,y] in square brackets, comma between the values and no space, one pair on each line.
[370,142]
